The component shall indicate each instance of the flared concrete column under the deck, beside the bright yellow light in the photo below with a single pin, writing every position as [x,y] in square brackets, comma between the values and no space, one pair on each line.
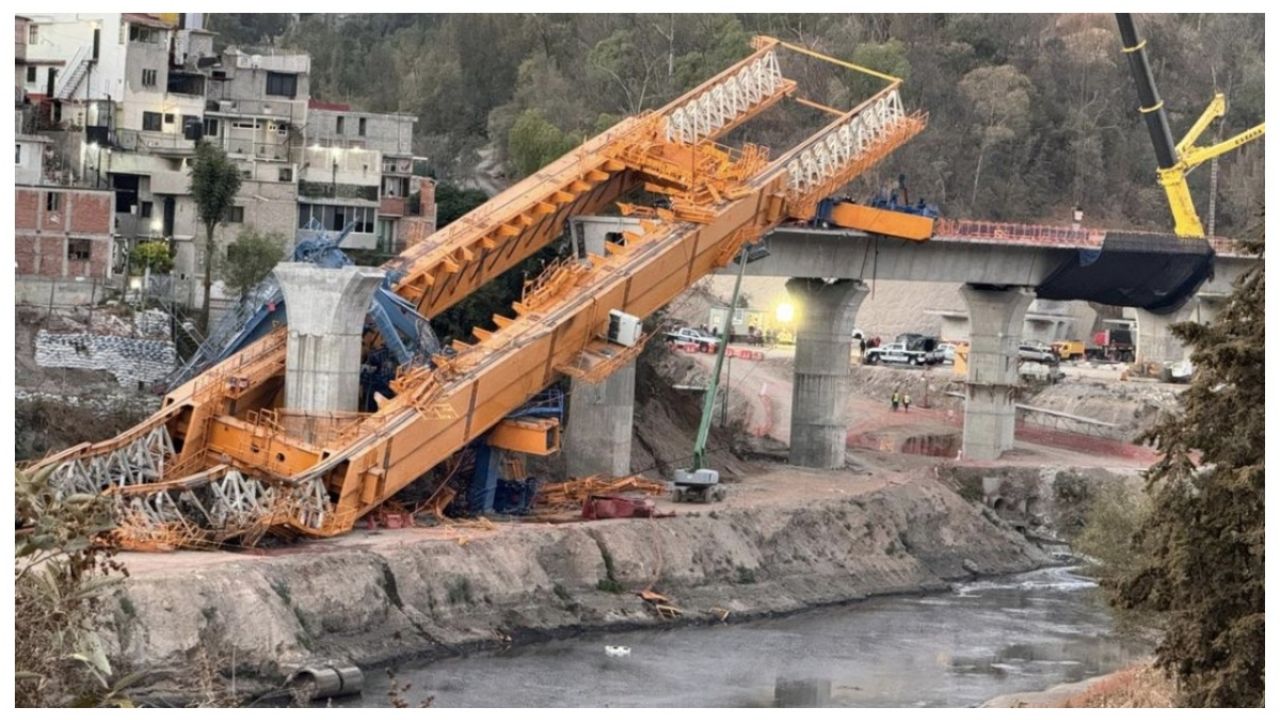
[820,389]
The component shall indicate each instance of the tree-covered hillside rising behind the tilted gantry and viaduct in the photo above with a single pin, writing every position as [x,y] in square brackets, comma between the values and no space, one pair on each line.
[1028,115]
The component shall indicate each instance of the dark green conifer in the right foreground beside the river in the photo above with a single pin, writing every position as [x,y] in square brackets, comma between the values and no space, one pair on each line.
[1204,541]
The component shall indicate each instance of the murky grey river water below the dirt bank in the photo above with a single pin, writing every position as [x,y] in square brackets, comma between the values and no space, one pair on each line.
[959,649]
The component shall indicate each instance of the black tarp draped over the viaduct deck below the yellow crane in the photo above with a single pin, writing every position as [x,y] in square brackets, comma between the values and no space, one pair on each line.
[1154,272]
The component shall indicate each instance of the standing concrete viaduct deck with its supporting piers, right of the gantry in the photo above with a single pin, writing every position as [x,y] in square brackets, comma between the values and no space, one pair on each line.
[1002,270]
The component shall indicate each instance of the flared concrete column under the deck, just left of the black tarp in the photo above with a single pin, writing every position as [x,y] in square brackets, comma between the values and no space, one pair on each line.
[995,331]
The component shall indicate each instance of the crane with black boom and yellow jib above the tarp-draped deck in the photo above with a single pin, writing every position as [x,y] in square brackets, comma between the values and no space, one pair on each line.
[1176,162]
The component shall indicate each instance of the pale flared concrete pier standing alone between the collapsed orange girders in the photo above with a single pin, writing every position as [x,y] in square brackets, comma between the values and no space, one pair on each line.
[327,312]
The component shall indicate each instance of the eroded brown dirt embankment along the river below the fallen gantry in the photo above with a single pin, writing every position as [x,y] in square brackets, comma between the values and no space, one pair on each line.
[372,600]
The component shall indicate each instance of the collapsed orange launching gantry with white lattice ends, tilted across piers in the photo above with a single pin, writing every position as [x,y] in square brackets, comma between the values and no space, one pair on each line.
[220,462]
